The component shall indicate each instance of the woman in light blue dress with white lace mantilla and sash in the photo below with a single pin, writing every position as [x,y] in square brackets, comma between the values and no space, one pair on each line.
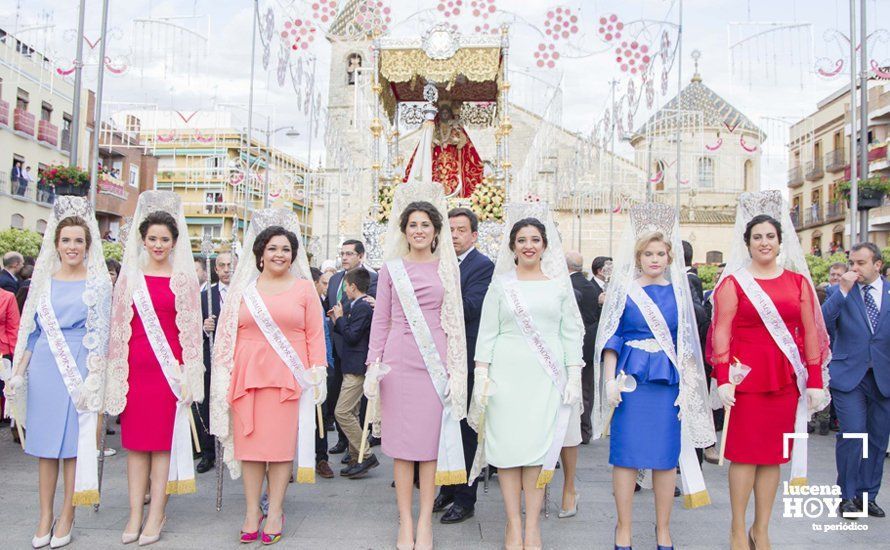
[55,389]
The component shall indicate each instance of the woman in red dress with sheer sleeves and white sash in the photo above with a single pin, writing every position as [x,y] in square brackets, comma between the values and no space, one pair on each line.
[756,306]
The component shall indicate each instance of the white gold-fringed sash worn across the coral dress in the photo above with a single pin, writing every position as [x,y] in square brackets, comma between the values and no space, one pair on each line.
[290,357]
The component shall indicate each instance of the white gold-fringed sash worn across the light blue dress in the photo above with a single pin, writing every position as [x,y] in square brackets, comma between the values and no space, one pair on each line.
[86,473]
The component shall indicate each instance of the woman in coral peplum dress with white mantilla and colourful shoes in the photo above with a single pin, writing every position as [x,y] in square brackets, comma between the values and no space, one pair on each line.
[269,367]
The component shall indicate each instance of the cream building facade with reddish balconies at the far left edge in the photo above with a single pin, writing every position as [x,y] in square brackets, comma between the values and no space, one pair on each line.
[36,132]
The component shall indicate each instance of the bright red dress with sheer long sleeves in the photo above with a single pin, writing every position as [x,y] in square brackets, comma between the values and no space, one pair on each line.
[766,400]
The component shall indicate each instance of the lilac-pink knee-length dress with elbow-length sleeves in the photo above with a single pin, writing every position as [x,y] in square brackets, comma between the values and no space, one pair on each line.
[411,412]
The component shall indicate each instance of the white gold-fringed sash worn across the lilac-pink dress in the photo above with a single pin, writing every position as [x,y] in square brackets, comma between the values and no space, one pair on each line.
[450,465]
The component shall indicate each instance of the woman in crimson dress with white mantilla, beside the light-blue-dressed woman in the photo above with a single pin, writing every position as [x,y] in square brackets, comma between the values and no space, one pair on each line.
[155,370]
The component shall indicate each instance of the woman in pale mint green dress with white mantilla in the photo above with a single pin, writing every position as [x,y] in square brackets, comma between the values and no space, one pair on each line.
[528,370]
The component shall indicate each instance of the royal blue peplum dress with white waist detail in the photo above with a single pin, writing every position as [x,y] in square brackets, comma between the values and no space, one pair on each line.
[645,430]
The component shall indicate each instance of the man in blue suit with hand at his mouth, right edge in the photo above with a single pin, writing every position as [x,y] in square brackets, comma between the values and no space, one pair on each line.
[857,314]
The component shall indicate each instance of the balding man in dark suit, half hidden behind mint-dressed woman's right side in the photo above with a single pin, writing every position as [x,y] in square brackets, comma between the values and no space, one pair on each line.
[590,312]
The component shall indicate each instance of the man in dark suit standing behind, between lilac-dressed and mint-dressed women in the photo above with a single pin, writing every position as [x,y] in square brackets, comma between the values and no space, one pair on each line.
[476,271]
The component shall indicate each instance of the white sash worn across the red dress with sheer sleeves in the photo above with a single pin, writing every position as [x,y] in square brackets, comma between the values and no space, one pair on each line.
[783,338]
